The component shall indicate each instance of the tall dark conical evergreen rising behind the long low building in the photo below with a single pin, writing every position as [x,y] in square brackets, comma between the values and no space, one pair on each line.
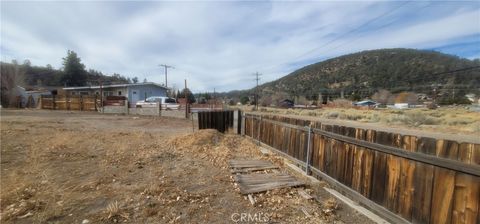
[74,71]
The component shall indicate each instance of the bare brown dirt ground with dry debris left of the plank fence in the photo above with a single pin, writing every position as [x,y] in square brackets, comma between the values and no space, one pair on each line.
[81,167]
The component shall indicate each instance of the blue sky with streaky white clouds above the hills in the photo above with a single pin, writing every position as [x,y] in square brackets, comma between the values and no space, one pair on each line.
[219,44]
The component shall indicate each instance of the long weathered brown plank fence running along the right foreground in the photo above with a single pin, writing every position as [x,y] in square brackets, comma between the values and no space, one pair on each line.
[404,178]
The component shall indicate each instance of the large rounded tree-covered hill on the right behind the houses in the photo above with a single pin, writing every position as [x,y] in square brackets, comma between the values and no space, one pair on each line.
[362,74]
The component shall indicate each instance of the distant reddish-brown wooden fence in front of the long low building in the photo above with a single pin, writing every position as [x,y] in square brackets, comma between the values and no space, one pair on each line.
[58,102]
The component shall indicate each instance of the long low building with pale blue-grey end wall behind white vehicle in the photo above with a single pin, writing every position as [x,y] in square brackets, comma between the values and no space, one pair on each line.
[134,92]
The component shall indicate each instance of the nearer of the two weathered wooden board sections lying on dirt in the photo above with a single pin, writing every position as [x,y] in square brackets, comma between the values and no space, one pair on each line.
[254,183]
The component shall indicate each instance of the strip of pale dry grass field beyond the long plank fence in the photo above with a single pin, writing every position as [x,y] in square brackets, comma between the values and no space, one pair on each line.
[445,119]
